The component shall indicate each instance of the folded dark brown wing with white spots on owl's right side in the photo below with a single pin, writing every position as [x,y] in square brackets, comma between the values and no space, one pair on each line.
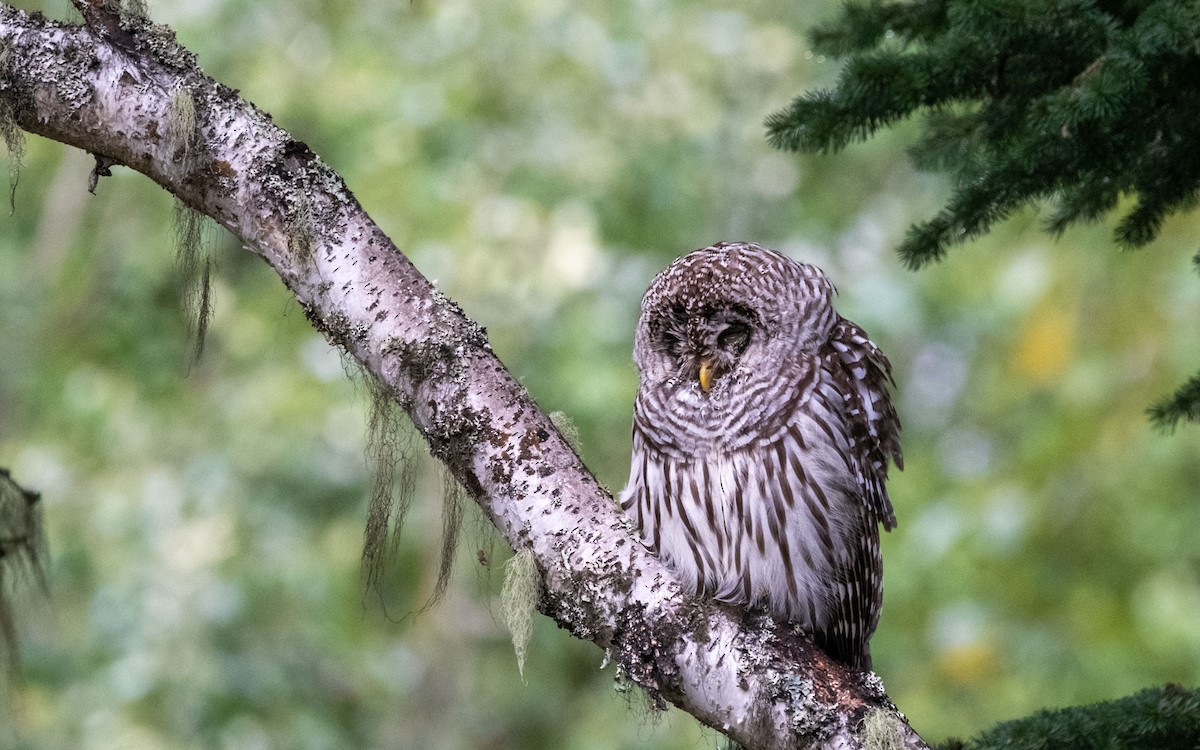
[863,375]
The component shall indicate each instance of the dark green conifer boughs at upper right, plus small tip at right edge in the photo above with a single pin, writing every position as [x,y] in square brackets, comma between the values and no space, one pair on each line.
[1073,103]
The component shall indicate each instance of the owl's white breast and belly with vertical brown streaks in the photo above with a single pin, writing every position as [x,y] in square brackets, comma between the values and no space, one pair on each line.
[758,524]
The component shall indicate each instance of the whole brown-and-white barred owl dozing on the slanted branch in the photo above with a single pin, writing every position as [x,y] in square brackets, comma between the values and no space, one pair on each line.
[763,433]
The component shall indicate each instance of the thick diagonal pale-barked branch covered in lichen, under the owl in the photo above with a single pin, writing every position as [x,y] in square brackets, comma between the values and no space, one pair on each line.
[127,92]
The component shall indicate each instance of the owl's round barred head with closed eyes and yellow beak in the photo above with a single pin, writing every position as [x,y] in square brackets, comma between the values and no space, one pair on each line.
[727,334]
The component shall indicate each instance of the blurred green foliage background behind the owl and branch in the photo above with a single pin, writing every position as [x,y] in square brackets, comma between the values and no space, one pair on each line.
[542,160]
